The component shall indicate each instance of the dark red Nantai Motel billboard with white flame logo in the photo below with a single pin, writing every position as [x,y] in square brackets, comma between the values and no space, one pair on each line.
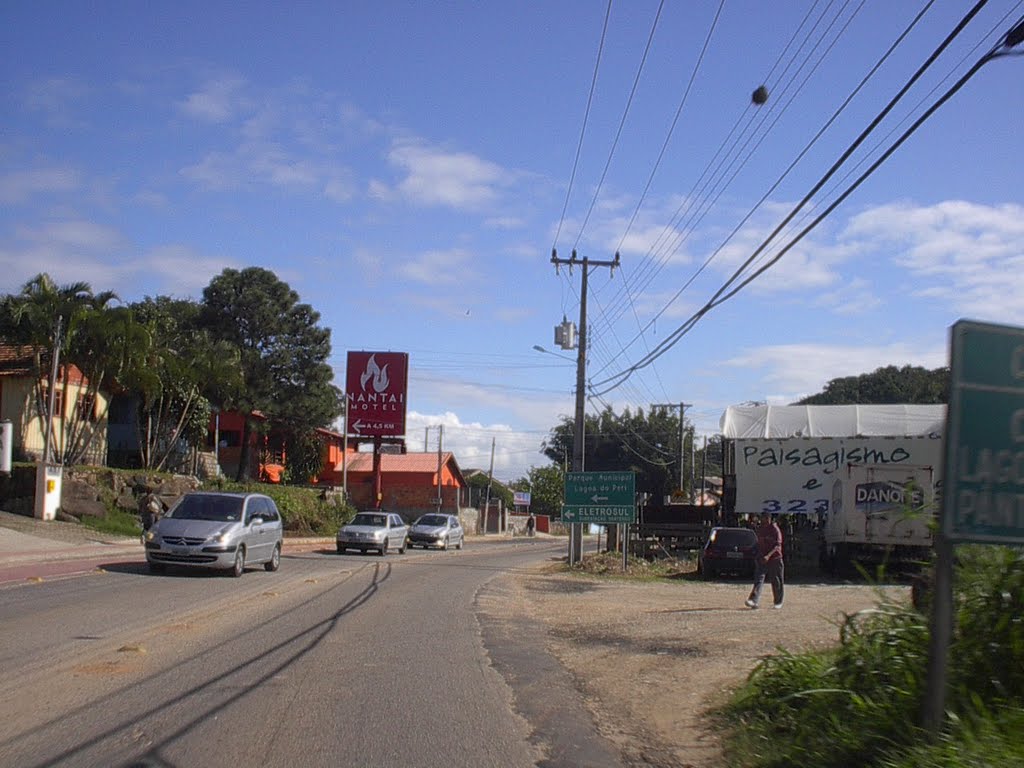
[375,388]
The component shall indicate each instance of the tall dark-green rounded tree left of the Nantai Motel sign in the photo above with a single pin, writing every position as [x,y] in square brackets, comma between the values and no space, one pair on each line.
[283,353]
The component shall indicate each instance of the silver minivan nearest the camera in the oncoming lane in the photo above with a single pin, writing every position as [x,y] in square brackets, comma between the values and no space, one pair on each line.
[218,531]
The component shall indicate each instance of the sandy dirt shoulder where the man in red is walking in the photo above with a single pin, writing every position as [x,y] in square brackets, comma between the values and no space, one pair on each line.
[651,659]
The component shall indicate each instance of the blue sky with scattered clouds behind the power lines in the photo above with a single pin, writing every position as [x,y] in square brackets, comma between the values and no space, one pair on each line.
[405,167]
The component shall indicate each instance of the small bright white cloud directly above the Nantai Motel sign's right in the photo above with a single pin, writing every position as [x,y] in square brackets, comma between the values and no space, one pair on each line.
[439,178]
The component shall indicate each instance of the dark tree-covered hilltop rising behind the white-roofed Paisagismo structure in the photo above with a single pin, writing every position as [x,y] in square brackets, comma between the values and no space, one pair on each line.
[889,386]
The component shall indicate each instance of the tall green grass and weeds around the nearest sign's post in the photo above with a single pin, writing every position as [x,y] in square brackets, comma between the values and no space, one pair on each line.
[860,704]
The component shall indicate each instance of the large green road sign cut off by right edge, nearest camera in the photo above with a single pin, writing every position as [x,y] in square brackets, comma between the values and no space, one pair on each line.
[984,495]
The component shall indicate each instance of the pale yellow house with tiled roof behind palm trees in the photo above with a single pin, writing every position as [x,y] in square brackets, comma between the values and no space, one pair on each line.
[77,416]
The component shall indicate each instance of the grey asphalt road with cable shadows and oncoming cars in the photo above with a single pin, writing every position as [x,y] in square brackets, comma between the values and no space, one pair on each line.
[352,660]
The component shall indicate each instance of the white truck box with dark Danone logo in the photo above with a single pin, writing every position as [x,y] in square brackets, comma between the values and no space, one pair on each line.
[880,515]
